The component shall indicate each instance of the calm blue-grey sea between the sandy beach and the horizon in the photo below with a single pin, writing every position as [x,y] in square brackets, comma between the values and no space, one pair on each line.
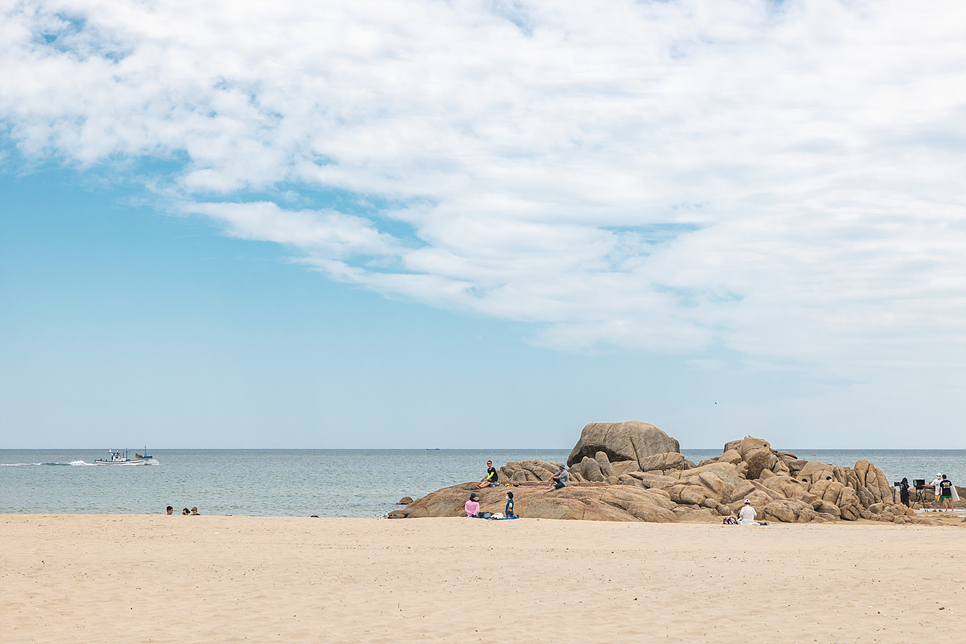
[325,483]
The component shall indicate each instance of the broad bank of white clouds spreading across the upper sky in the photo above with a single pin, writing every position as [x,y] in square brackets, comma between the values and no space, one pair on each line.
[783,179]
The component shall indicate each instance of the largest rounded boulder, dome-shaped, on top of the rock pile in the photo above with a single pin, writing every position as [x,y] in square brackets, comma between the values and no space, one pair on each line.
[628,441]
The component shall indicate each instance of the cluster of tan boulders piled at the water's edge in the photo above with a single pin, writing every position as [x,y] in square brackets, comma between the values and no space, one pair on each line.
[635,472]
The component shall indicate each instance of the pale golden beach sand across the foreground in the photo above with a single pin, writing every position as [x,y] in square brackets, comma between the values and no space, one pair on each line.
[162,579]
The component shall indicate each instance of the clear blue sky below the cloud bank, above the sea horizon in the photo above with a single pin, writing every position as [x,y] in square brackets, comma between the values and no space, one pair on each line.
[118,320]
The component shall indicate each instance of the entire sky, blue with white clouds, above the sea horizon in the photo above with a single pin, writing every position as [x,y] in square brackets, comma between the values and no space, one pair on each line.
[481,224]
